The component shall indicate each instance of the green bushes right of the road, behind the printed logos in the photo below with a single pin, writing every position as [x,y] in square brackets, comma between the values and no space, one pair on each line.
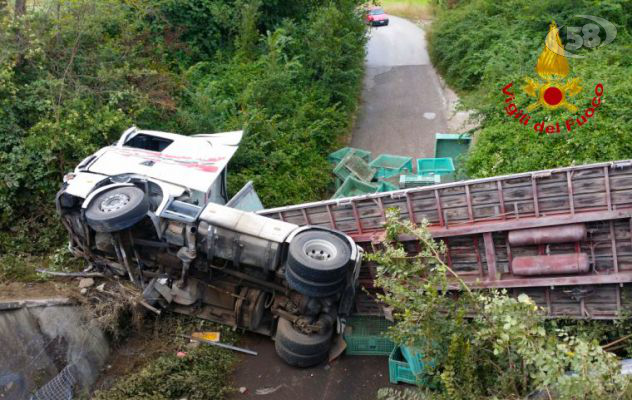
[479,46]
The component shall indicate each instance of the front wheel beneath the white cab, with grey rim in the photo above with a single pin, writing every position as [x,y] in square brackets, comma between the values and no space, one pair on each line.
[117,209]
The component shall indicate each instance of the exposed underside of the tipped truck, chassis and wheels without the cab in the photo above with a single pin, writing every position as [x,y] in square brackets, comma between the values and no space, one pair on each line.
[233,267]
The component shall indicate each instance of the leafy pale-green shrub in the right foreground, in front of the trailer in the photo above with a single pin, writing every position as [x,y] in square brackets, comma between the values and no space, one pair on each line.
[506,350]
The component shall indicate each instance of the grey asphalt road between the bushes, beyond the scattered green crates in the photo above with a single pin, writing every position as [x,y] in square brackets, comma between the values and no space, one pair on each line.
[403,105]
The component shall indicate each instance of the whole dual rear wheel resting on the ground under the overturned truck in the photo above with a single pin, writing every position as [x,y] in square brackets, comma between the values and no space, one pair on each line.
[299,349]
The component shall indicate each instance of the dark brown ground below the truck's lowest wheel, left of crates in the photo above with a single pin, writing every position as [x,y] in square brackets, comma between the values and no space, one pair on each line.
[266,376]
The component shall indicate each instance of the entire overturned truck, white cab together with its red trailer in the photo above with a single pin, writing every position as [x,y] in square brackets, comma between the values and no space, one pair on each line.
[154,207]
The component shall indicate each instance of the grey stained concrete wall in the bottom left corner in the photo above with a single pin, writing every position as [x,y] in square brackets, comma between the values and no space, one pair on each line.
[39,341]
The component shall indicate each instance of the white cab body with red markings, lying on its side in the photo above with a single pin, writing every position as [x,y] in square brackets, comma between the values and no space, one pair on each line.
[182,171]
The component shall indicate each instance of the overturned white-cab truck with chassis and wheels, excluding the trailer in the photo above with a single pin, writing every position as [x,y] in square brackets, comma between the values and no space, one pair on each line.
[150,207]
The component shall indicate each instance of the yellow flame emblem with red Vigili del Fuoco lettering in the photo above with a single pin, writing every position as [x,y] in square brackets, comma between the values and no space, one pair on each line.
[552,90]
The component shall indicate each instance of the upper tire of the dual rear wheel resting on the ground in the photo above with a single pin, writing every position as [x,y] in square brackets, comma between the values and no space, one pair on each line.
[301,343]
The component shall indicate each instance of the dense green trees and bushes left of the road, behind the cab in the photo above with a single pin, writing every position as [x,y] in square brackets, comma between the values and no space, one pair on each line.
[74,74]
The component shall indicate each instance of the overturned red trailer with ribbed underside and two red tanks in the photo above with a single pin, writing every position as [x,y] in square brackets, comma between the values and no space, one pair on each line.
[563,236]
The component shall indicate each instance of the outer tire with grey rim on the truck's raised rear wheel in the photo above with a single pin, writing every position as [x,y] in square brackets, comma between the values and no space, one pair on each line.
[318,256]
